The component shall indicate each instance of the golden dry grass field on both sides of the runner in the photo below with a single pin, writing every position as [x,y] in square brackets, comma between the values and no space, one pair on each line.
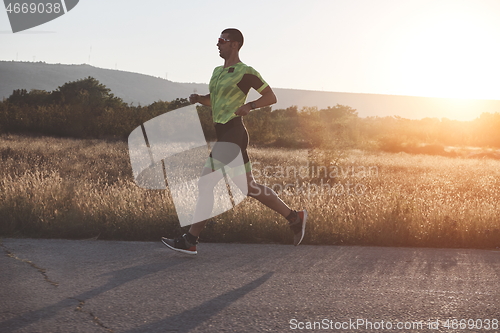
[67,188]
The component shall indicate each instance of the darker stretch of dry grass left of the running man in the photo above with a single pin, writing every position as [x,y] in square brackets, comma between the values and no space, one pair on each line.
[76,189]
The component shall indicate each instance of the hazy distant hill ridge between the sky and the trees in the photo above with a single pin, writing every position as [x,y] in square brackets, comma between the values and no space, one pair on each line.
[145,89]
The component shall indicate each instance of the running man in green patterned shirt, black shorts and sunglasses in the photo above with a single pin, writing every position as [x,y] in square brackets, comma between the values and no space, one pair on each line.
[229,87]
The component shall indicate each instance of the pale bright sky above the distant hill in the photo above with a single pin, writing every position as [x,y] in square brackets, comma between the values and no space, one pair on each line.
[436,48]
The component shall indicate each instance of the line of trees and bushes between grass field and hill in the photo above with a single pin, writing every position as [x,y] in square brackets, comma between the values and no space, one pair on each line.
[88,109]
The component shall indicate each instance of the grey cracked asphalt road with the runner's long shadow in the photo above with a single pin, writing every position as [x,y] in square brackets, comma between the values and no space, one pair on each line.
[107,286]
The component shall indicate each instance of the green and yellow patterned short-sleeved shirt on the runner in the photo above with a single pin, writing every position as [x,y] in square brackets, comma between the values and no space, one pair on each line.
[229,88]
